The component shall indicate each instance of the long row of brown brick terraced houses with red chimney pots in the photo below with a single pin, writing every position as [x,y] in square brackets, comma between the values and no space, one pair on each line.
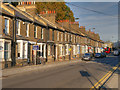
[27,37]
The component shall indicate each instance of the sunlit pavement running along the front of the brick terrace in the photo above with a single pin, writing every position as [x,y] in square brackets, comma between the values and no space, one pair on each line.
[18,70]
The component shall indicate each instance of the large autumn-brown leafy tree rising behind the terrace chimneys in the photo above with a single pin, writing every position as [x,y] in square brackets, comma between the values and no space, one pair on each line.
[63,12]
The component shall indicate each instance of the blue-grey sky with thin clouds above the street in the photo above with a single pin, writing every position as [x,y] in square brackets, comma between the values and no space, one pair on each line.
[106,24]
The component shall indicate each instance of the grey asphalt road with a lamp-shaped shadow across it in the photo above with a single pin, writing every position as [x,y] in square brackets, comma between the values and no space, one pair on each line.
[82,74]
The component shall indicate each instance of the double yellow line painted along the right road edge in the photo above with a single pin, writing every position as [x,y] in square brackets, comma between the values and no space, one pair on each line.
[104,78]
